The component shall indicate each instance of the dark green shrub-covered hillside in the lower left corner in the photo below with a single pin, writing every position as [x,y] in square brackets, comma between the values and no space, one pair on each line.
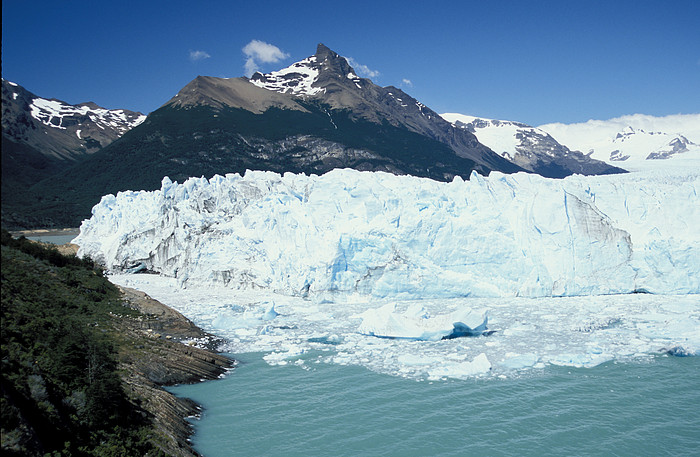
[61,391]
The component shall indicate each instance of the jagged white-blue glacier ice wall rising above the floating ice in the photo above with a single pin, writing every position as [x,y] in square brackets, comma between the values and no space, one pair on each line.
[350,232]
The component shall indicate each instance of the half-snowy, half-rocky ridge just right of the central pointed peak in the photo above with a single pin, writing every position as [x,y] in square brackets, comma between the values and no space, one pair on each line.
[529,147]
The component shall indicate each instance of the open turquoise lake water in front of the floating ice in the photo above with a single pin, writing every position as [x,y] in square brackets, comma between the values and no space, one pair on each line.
[648,407]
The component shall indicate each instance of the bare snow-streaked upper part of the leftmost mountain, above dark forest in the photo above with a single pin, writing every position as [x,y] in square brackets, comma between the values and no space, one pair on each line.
[58,129]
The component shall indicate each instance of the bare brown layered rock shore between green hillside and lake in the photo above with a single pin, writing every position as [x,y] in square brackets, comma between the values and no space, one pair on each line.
[161,348]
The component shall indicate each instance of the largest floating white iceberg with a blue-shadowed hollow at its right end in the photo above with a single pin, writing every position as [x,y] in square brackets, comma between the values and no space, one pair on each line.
[417,324]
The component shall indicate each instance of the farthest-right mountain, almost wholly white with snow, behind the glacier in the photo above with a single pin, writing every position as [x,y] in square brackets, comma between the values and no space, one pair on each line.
[636,141]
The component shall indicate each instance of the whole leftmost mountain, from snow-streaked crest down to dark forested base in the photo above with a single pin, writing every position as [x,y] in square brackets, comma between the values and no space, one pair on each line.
[42,137]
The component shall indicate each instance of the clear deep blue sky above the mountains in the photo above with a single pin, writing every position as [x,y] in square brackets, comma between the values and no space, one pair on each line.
[529,61]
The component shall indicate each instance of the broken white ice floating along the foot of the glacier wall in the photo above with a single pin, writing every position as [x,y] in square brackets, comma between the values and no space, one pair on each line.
[532,333]
